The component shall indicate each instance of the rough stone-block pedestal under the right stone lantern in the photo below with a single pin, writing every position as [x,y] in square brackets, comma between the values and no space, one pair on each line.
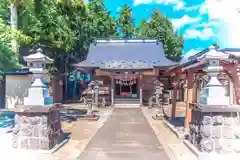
[215,132]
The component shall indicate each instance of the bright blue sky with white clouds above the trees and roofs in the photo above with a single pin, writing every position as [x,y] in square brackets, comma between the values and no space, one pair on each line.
[201,22]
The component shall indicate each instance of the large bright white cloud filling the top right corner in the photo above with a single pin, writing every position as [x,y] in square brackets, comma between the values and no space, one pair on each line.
[227,13]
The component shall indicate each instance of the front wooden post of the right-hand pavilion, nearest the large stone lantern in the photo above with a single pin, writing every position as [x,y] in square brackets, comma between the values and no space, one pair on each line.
[189,98]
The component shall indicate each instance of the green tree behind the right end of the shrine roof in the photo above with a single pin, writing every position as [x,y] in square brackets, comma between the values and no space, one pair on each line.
[161,28]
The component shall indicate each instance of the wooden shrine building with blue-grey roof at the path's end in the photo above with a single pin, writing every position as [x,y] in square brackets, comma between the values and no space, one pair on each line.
[127,68]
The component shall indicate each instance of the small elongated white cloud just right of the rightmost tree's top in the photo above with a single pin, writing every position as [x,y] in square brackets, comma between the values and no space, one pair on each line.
[178,23]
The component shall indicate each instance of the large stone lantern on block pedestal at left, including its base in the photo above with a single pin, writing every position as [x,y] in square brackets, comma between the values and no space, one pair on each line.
[37,122]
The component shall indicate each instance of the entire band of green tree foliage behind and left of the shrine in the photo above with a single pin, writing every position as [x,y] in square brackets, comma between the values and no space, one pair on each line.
[66,28]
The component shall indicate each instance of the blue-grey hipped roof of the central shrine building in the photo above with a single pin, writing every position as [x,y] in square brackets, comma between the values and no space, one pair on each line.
[126,54]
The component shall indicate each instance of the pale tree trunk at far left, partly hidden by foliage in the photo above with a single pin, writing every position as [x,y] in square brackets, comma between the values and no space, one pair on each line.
[14,22]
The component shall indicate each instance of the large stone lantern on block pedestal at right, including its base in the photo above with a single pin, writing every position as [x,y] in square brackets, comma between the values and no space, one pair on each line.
[215,124]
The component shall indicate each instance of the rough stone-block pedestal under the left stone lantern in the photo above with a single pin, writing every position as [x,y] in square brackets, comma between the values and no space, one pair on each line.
[37,131]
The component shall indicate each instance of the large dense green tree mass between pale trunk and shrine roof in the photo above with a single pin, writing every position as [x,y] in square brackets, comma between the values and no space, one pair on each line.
[65,28]
